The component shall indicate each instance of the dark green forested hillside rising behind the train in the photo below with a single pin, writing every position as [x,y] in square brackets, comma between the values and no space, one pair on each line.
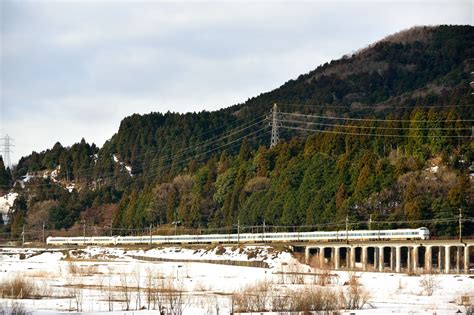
[383,135]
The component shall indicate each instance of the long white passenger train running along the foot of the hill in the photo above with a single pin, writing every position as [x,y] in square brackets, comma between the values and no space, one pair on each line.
[337,236]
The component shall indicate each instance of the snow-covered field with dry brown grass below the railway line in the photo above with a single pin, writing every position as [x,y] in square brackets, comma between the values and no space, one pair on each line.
[111,280]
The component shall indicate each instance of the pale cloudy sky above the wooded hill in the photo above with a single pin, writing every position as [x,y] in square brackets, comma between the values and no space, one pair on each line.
[75,69]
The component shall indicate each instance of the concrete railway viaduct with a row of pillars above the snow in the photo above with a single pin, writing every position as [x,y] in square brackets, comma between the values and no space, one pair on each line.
[441,256]
